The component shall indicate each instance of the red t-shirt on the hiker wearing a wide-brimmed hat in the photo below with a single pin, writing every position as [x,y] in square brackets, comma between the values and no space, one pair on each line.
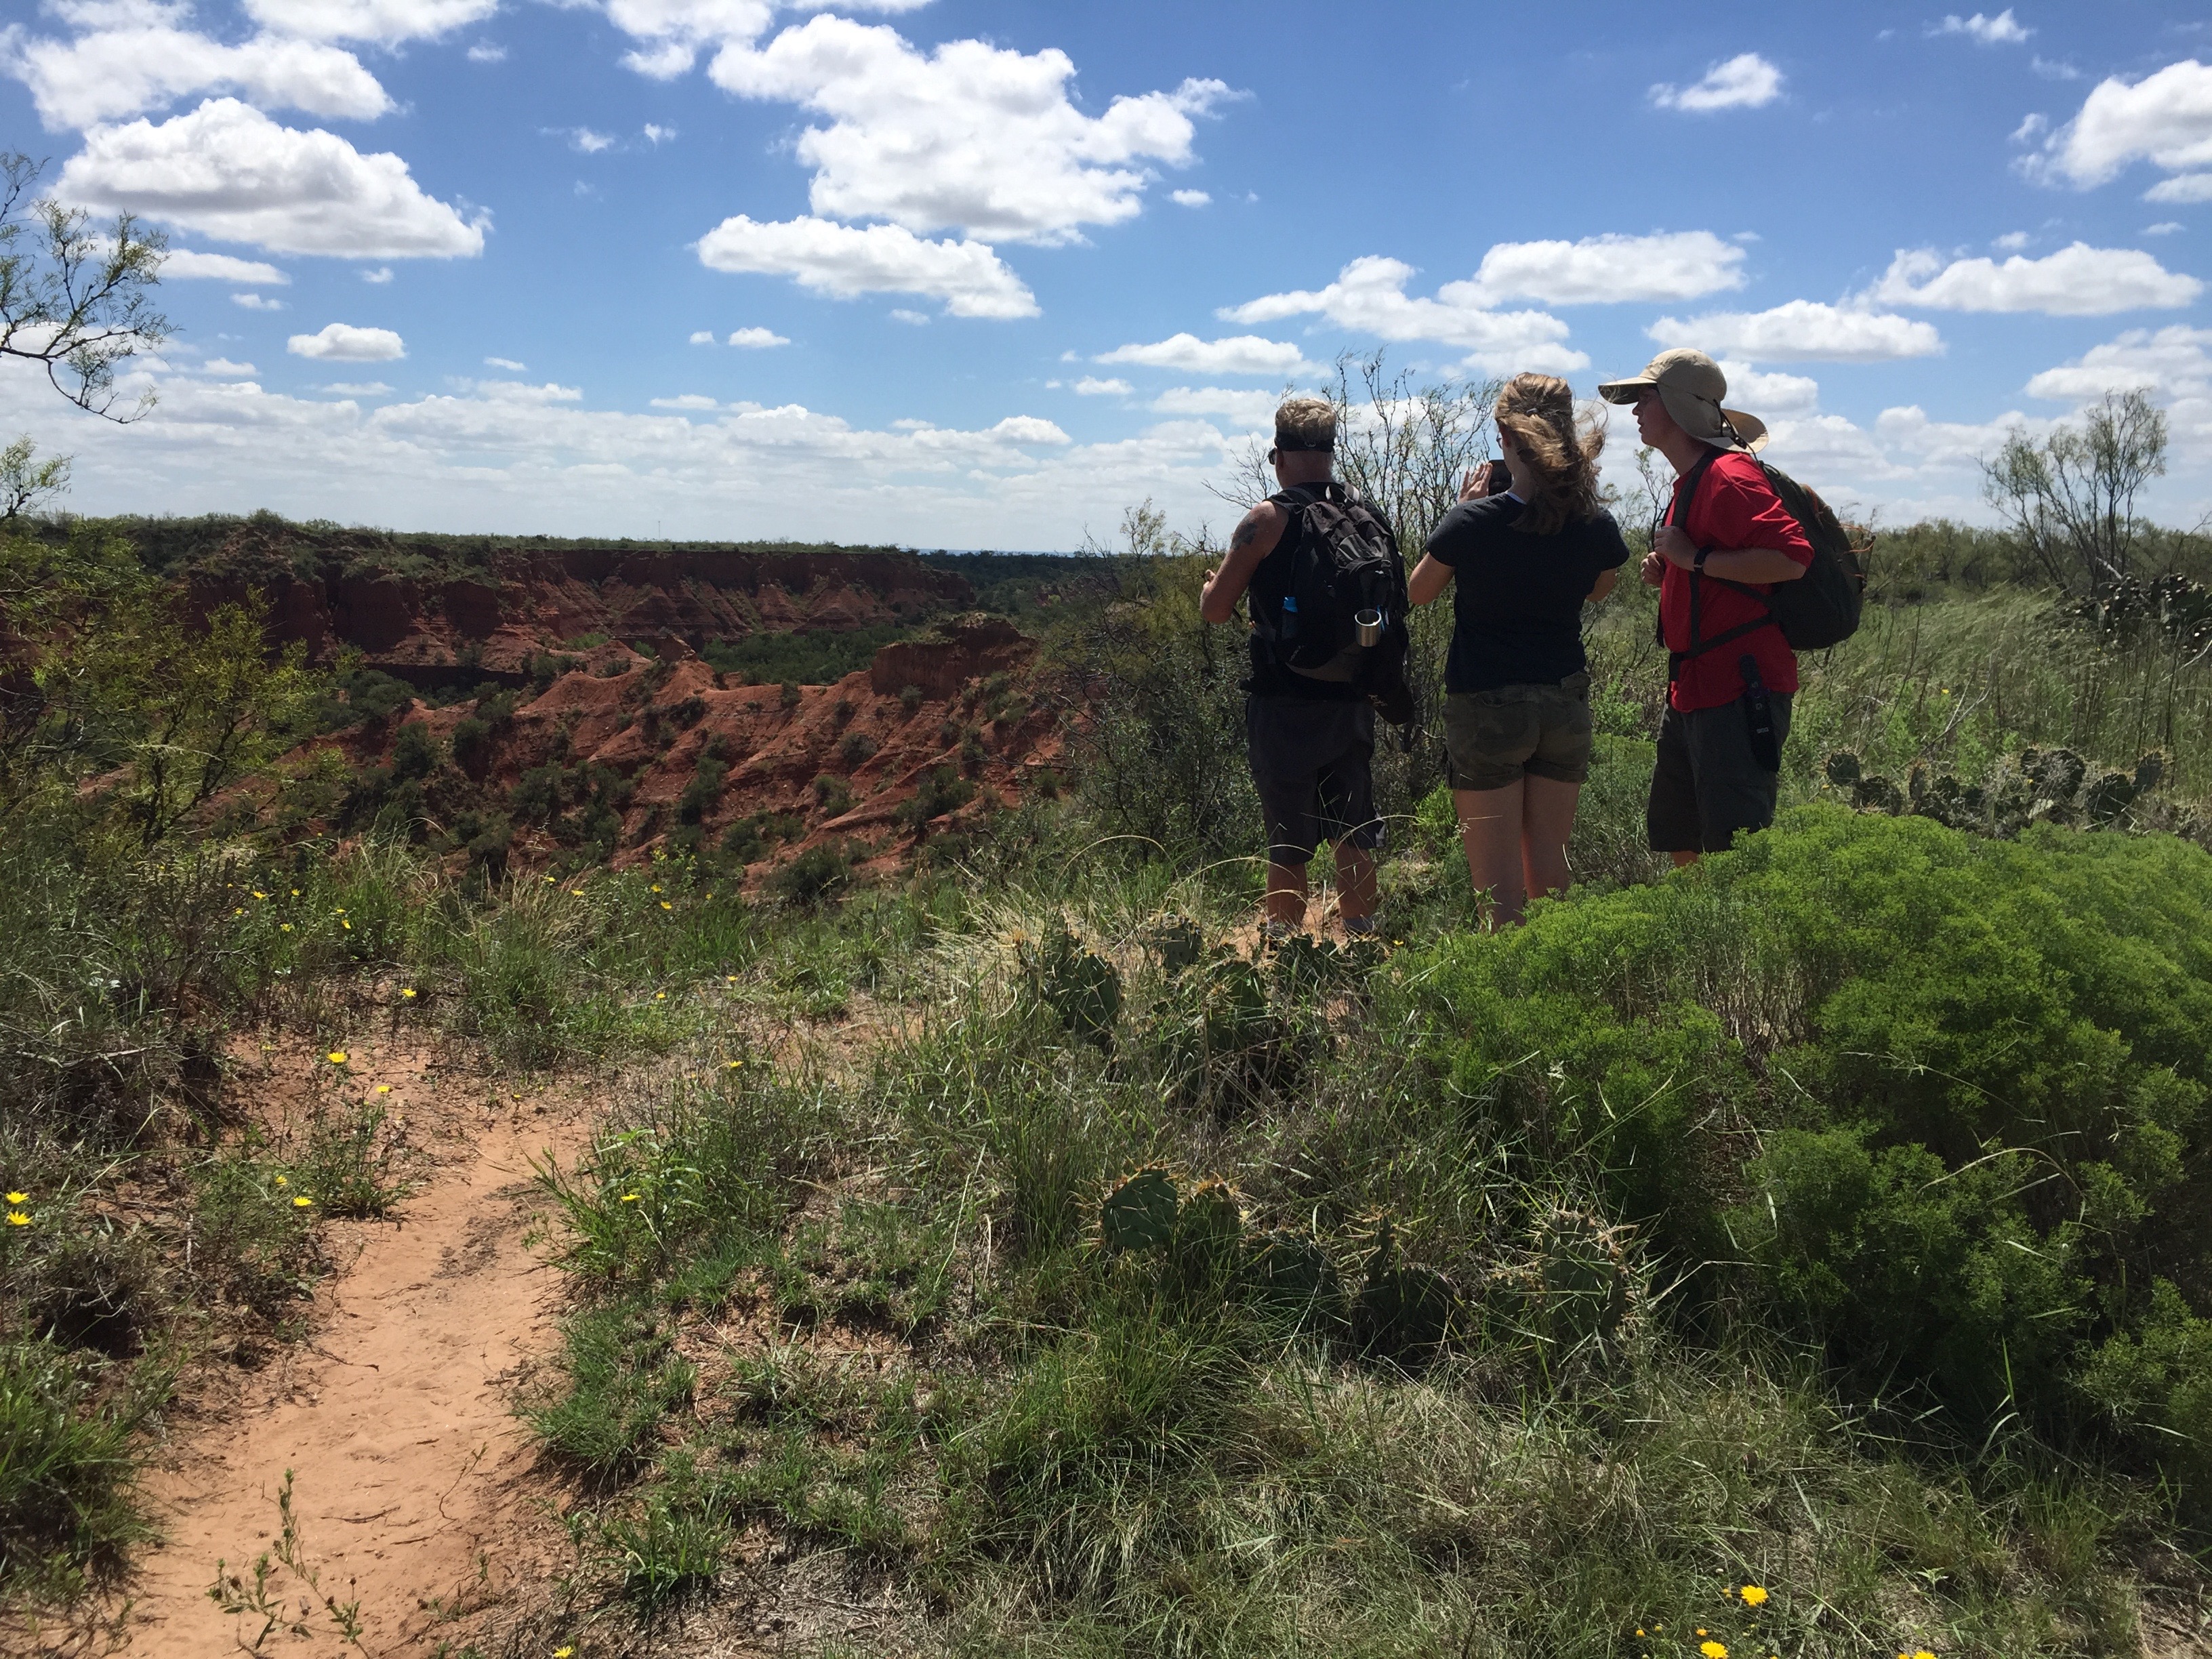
[1735,510]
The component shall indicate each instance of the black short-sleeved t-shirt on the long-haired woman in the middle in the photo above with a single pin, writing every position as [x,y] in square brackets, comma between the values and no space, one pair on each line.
[1519,596]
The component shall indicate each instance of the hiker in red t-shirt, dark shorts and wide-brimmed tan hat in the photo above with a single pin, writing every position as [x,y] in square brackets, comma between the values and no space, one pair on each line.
[1731,674]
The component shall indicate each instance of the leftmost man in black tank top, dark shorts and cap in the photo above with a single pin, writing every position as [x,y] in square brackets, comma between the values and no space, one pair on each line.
[1311,740]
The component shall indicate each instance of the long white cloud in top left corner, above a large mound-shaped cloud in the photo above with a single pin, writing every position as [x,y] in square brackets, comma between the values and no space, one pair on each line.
[134,70]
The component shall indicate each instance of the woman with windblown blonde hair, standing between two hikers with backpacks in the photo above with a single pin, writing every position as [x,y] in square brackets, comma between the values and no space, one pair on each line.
[1530,545]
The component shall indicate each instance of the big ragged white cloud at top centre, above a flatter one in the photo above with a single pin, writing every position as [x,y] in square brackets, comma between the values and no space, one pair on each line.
[968,138]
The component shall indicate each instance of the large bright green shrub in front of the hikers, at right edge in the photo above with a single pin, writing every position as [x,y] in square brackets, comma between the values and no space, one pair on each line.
[1945,1098]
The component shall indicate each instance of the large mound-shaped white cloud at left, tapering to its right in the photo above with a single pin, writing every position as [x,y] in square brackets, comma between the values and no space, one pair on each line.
[229,171]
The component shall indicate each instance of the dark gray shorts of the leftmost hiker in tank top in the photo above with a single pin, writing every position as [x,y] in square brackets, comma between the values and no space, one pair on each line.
[1315,773]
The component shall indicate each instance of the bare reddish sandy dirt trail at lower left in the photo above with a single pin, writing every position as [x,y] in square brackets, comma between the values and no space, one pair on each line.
[413,1483]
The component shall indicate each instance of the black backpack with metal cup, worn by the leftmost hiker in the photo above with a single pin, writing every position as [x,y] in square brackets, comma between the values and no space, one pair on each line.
[1346,561]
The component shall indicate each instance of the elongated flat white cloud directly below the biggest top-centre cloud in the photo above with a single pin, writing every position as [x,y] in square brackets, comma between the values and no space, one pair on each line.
[870,260]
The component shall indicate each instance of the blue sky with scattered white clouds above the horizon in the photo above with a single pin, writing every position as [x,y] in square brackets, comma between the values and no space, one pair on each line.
[999,271]
